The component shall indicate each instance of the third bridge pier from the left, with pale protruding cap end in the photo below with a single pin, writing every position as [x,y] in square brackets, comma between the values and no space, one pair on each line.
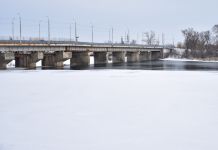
[56,59]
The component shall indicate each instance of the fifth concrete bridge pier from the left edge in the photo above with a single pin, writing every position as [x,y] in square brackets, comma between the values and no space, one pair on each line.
[100,58]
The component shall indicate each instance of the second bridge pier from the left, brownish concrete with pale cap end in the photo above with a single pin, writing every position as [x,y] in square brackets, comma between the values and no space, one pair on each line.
[28,60]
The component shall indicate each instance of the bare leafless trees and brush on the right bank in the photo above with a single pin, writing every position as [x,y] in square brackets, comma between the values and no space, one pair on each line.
[200,44]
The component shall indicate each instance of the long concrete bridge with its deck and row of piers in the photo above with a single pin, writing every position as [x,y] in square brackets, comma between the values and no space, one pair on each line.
[53,53]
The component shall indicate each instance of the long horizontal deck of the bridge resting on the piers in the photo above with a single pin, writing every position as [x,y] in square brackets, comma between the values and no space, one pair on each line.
[26,46]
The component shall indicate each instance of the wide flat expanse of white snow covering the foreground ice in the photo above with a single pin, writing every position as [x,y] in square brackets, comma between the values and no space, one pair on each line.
[108,109]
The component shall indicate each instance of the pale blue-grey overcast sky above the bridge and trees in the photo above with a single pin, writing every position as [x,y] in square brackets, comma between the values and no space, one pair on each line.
[162,16]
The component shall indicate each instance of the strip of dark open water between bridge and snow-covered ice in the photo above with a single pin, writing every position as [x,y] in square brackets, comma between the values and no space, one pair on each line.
[146,65]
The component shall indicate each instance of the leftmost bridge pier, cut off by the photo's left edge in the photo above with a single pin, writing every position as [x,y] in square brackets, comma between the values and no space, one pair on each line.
[5,58]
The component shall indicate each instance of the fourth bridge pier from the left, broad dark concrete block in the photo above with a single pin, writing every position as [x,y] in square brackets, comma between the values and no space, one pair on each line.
[80,60]
